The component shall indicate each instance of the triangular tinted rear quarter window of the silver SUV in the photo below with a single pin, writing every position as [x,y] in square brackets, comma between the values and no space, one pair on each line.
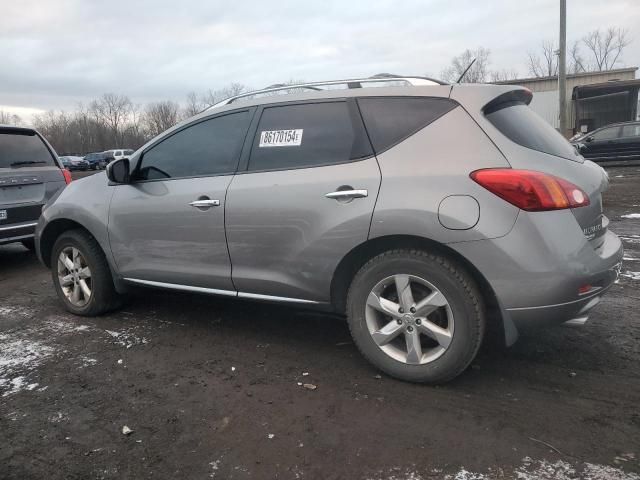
[389,120]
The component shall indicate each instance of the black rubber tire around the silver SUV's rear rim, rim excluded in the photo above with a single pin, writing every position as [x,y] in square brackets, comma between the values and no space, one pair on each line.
[452,281]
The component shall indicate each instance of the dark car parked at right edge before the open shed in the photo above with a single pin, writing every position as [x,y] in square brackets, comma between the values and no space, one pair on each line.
[615,142]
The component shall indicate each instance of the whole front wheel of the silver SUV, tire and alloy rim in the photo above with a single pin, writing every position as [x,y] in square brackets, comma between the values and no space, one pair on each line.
[82,276]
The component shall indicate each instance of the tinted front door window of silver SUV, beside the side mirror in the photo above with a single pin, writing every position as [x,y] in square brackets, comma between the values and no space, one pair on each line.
[211,147]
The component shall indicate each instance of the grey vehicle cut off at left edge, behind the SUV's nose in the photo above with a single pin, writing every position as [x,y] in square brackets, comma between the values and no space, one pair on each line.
[30,175]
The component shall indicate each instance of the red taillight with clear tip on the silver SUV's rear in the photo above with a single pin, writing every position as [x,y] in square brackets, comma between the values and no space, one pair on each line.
[531,191]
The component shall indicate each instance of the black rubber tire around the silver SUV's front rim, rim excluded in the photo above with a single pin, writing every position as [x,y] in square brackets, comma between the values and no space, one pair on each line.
[104,297]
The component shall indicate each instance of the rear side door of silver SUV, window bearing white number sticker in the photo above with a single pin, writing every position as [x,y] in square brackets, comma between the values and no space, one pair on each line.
[303,201]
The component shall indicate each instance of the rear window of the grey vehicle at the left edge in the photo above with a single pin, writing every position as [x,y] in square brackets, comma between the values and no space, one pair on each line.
[23,150]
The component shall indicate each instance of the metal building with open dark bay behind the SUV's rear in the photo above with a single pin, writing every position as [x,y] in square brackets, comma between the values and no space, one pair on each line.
[594,99]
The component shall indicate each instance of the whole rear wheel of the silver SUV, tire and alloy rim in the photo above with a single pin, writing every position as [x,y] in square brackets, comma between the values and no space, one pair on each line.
[416,316]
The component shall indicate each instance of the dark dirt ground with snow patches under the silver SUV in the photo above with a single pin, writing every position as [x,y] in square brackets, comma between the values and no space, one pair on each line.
[210,389]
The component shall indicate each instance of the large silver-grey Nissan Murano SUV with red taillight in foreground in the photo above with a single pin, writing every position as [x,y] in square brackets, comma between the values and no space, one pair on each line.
[424,213]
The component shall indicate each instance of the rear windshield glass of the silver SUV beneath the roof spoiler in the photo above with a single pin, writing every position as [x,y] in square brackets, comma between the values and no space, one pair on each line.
[522,125]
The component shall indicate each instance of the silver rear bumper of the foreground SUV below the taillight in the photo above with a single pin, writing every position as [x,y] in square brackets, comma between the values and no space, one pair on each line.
[538,269]
